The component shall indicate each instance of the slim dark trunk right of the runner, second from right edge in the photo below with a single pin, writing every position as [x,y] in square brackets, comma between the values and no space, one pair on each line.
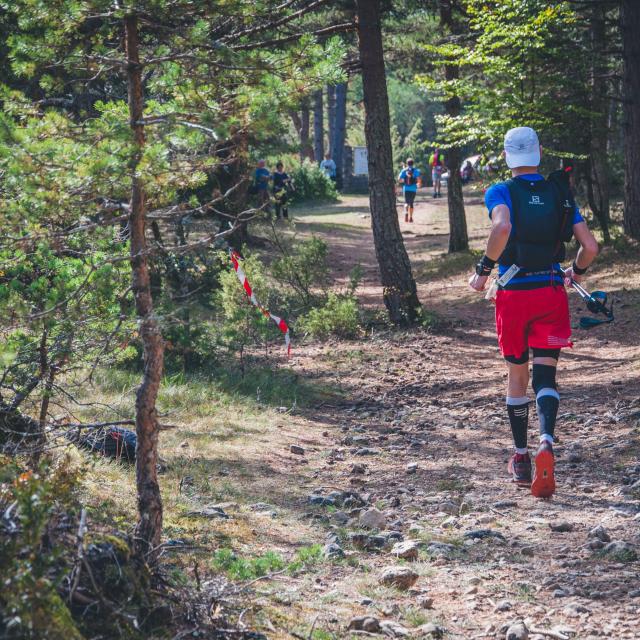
[598,178]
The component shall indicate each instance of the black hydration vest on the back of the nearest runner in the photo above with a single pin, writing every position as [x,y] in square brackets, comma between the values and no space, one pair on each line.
[542,223]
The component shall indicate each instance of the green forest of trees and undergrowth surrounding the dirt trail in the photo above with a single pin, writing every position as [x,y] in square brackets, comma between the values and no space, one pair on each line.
[128,139]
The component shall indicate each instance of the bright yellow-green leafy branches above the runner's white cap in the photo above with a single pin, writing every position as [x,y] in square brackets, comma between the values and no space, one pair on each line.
[526,53]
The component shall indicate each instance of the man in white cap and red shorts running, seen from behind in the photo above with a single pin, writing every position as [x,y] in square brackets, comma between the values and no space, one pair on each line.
[531,218]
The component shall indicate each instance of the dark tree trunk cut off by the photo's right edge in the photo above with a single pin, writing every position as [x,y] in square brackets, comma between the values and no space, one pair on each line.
[630,21]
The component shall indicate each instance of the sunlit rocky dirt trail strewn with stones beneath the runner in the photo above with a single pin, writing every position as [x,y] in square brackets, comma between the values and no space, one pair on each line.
[419,433]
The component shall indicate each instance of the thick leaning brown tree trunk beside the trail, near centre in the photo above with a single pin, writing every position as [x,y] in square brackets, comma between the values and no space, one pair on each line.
[398,285]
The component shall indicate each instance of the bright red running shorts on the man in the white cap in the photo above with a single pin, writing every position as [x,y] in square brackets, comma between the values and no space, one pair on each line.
[532,318]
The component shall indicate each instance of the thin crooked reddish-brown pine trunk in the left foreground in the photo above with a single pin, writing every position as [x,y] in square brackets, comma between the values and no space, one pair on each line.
[149,526]
